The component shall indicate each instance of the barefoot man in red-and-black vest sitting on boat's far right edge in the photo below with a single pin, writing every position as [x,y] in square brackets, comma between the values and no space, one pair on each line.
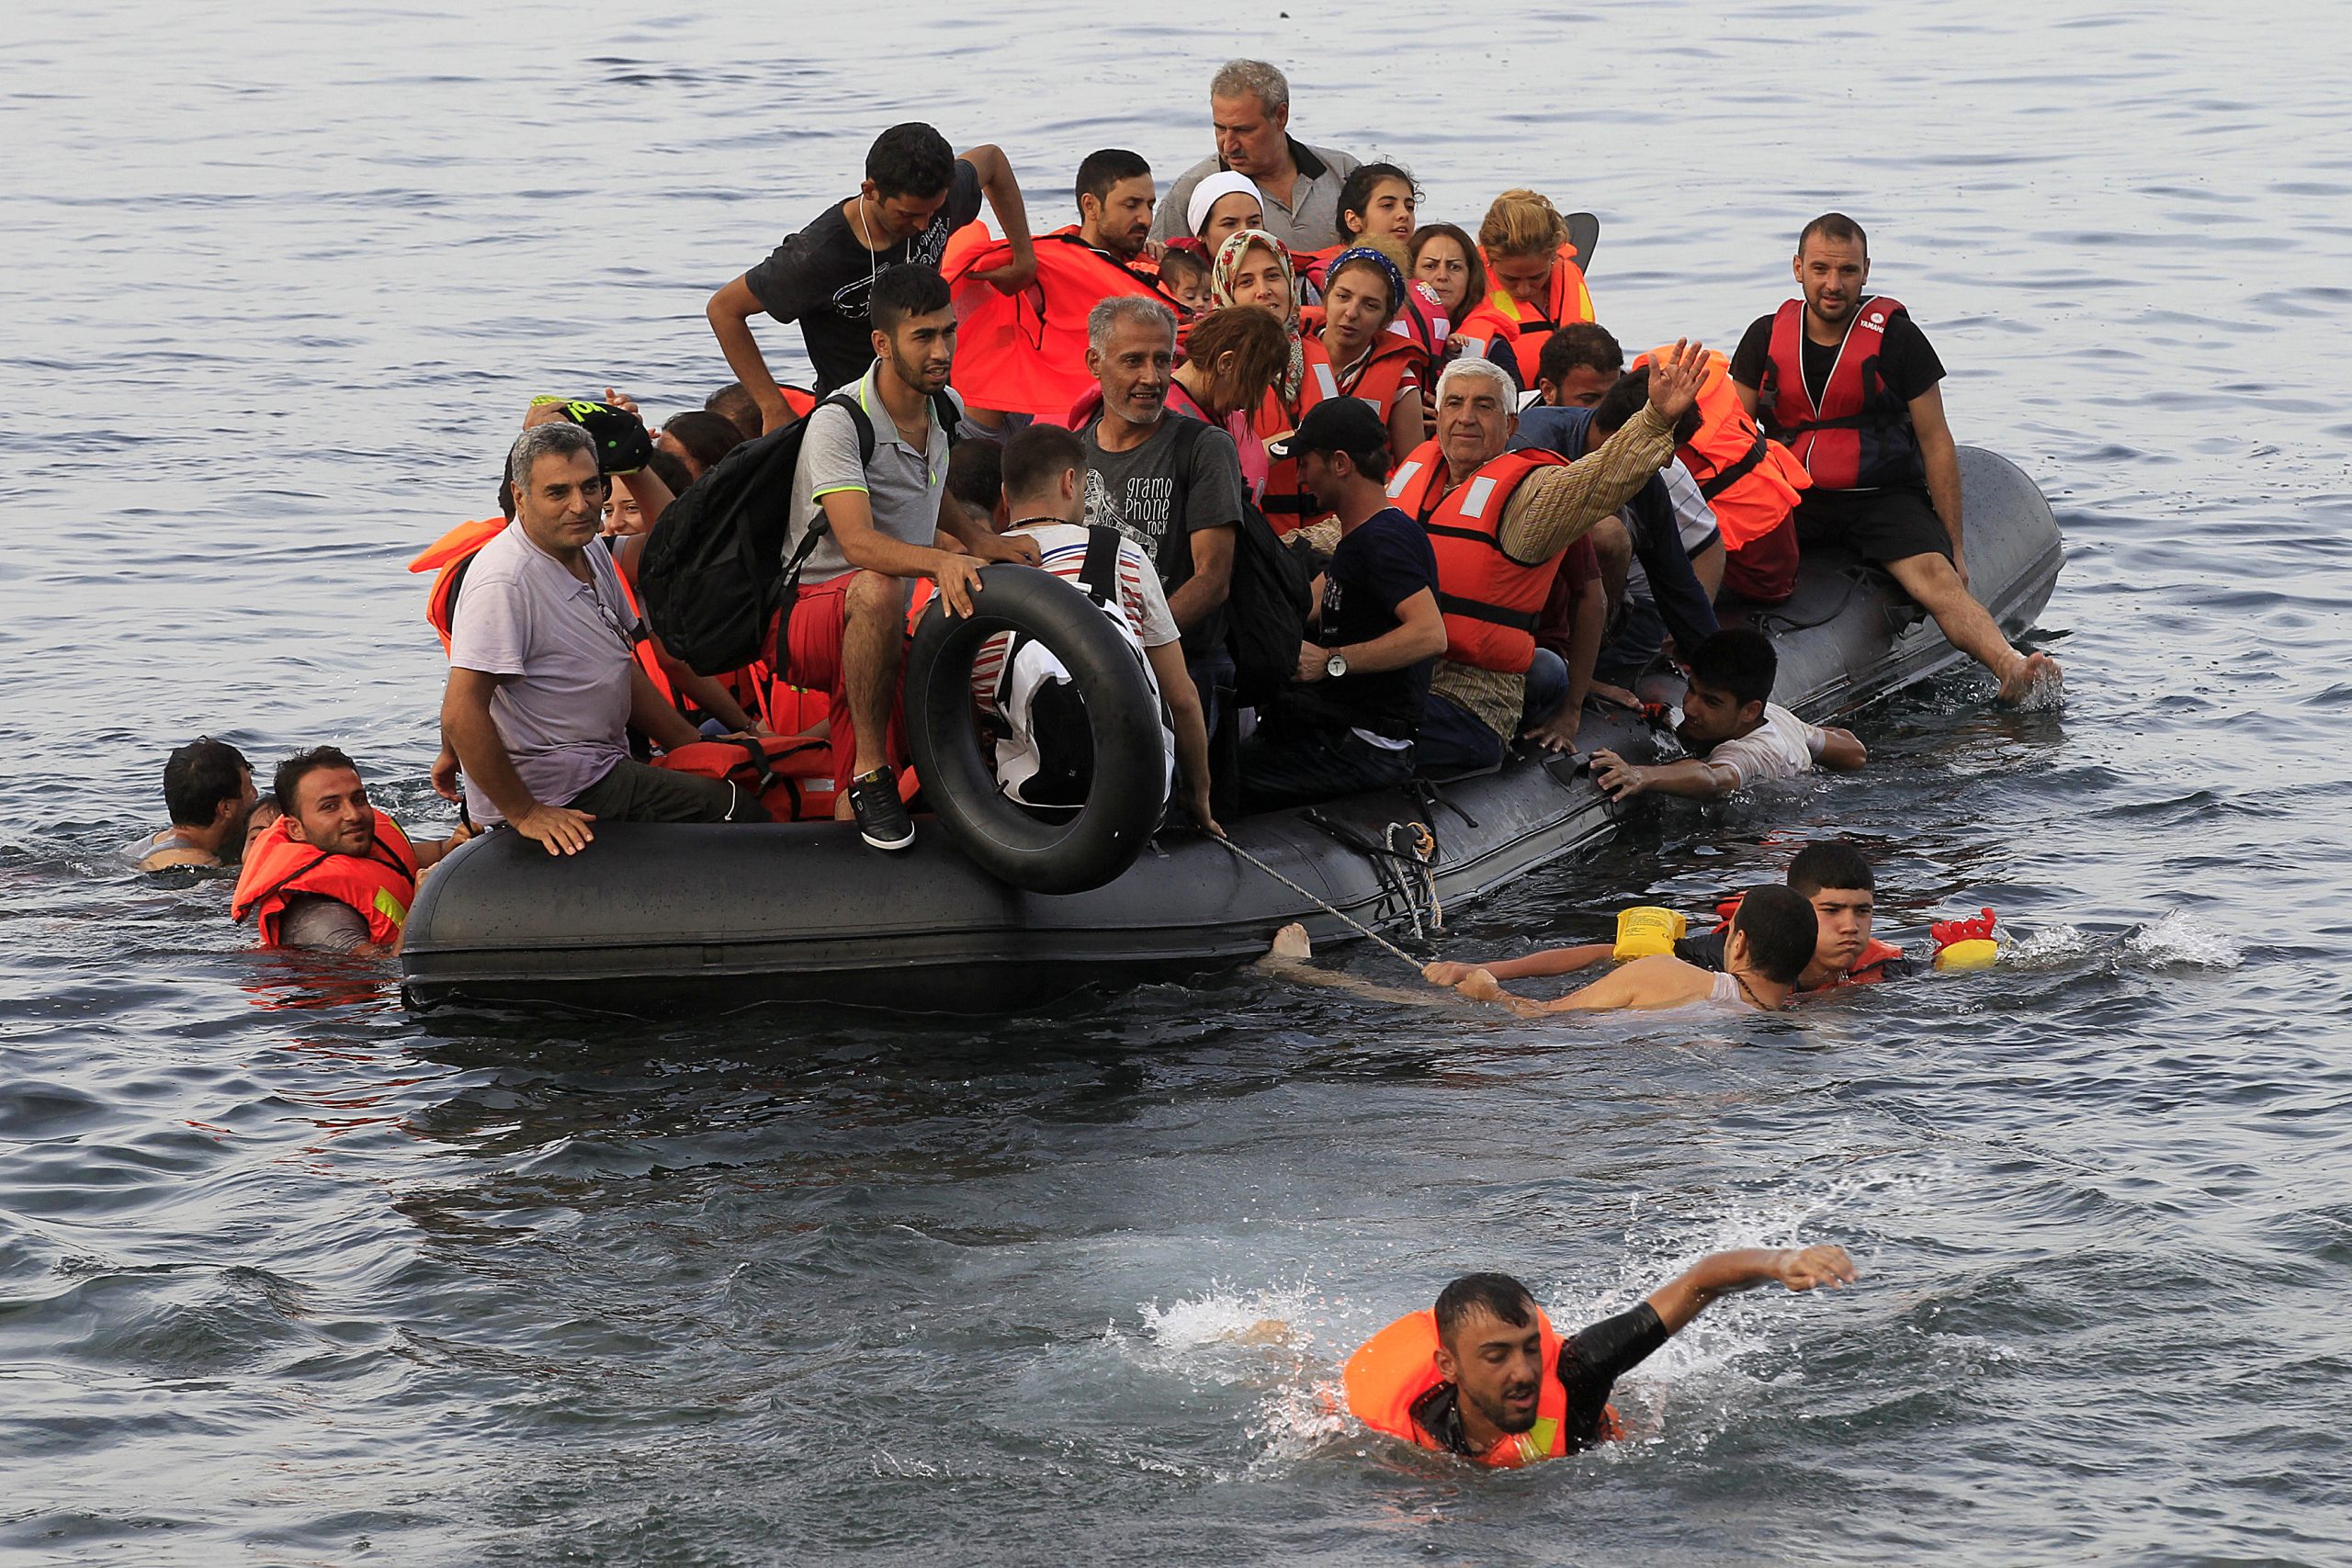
[1850,384]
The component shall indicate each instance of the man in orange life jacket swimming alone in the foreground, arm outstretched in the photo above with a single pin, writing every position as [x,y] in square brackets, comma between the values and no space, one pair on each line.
[1483,1376]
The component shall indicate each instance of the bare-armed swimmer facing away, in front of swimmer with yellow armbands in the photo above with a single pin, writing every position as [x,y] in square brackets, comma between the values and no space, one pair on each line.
[1765,951]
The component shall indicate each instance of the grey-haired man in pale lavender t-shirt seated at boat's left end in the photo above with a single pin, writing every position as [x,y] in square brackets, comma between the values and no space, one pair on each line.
[544,678]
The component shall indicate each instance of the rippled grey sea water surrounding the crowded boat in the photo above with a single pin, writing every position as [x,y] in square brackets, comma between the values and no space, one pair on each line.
[288,1278]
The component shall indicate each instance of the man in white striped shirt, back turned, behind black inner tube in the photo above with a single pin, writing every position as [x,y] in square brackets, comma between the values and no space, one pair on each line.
[1045,495]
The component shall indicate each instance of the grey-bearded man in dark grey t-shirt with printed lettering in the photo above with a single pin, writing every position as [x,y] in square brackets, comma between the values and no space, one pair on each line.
[1170,483]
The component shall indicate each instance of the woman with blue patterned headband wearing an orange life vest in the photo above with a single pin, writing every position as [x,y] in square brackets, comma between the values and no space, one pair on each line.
[1349,354]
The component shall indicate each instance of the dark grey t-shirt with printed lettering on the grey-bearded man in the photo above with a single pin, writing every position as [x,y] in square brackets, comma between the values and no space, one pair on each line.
[1161,497]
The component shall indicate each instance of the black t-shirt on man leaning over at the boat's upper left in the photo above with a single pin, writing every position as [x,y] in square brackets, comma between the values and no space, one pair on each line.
[824,279]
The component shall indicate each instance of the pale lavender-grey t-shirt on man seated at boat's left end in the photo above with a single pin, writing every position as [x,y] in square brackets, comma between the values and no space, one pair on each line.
[568,650]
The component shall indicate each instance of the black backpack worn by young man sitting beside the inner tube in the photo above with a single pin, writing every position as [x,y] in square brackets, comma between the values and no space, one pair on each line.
[714,565]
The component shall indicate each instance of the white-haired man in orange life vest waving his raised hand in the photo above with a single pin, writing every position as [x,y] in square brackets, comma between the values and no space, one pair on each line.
[1499,523]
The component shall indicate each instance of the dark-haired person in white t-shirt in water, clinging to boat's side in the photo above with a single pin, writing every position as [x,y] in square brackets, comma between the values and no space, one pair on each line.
[1737,737]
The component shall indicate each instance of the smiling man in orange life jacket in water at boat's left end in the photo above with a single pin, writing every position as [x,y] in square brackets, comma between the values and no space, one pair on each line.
[333,871]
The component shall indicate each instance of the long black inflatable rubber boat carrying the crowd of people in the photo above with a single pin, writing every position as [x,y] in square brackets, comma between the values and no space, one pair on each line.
[662,920]
